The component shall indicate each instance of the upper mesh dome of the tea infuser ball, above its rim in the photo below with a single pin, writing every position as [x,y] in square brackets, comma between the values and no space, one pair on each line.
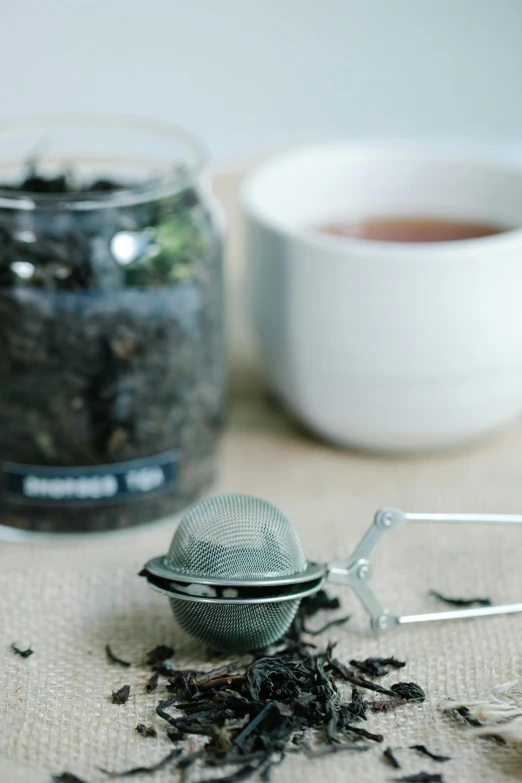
[234,537]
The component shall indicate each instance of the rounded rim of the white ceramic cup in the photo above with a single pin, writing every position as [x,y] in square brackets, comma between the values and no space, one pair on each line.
[403,150]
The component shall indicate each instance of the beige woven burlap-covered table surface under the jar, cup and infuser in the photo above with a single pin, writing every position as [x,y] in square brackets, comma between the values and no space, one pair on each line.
[68,599]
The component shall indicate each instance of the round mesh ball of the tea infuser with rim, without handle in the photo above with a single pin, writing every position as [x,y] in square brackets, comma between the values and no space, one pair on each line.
[235,573]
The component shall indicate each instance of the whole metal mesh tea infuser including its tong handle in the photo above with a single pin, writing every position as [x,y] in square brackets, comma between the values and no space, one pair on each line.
[235,572]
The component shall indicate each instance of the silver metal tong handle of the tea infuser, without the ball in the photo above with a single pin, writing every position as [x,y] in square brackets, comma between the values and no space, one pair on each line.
[356,571]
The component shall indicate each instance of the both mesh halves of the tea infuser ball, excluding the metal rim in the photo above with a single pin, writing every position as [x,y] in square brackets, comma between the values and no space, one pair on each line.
[235,537]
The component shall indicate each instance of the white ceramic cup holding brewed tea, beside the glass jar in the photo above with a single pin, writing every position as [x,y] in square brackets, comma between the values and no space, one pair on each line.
[380,345]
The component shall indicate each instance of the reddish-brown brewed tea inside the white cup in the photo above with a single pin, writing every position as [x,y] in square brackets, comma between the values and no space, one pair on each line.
[404,229]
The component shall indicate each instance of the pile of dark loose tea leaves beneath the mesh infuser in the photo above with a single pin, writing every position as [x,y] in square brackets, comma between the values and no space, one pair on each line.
[248,715]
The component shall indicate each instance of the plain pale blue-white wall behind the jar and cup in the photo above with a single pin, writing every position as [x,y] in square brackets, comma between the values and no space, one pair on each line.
[249,75]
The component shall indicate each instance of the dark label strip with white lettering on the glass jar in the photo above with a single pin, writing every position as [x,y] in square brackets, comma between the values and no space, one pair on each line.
[90,485]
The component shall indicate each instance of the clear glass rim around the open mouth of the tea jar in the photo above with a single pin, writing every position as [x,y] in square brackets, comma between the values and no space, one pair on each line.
[173,181]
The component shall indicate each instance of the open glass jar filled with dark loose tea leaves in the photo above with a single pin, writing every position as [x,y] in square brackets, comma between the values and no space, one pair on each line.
[112,367]
